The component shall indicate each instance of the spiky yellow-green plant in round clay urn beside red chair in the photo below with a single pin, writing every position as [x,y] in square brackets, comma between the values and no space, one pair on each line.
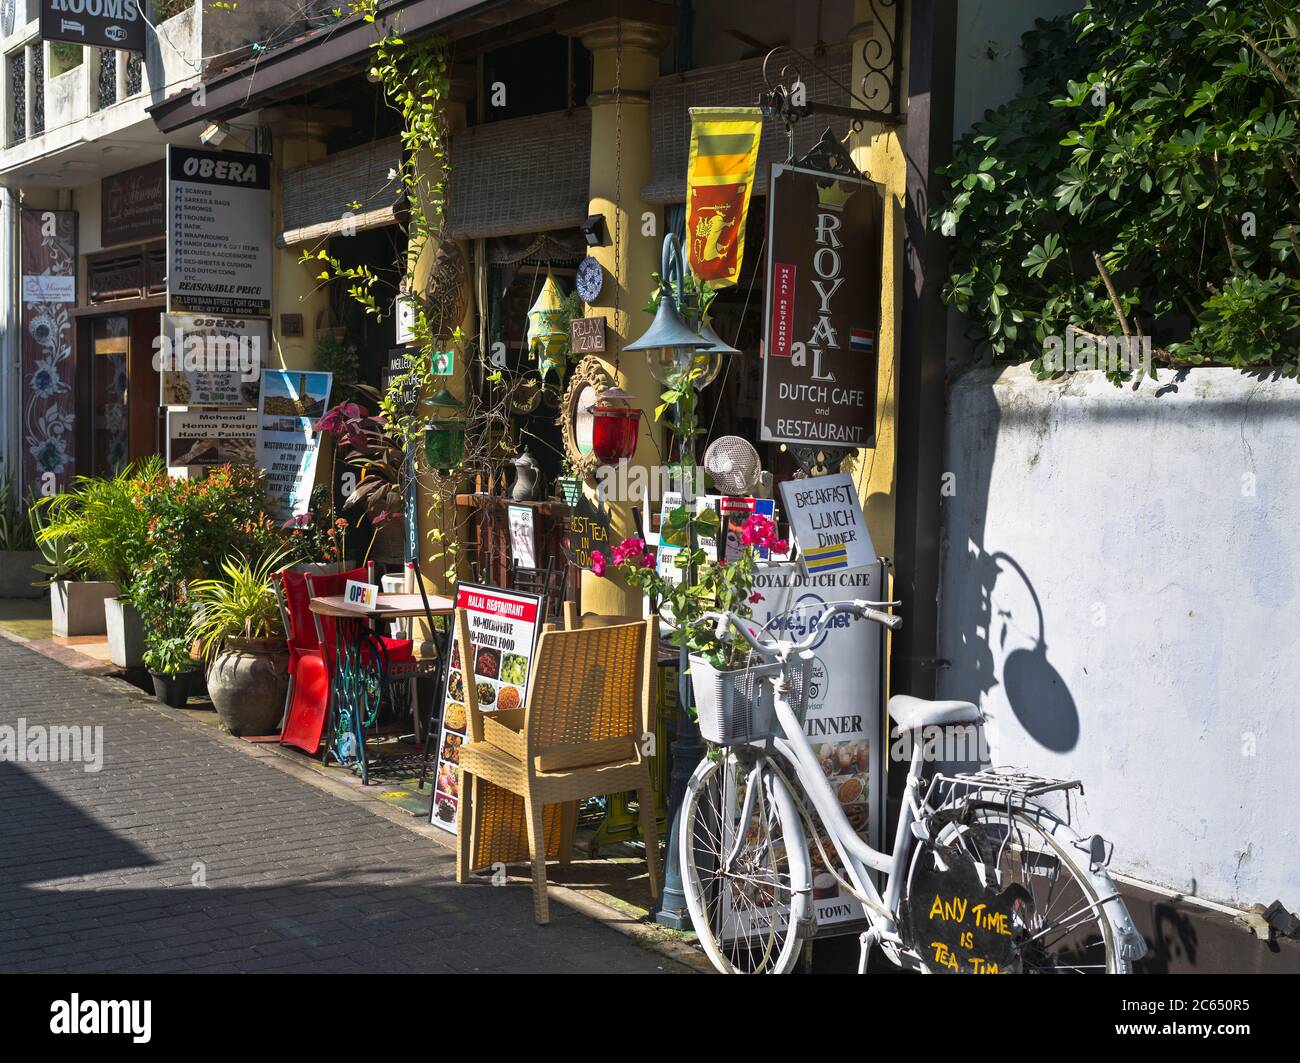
[239,627]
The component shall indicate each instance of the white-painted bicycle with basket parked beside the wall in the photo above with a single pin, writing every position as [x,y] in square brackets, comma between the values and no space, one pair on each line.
[983,878]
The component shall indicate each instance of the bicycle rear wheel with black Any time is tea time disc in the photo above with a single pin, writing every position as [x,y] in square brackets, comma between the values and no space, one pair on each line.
[1007,893]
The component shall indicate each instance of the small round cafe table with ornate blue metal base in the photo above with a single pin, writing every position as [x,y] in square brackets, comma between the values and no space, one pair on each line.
[361,669]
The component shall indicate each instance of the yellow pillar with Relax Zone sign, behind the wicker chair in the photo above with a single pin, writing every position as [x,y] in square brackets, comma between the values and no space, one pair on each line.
[626,53]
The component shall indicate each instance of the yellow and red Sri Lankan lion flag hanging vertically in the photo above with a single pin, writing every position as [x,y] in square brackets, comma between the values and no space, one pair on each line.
[720,181]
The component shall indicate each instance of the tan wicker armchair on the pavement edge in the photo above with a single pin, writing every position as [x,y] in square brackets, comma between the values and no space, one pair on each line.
[591,700]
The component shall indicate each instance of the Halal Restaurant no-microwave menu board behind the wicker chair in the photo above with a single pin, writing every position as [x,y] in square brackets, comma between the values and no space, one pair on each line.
[504,628]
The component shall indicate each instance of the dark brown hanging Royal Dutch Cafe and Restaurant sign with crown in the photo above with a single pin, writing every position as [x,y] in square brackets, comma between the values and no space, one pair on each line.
[824,309]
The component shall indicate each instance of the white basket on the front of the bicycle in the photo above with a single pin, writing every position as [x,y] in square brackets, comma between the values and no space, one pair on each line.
[738,706]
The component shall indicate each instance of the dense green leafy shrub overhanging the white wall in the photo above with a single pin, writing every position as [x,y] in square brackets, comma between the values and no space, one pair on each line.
[1155,147]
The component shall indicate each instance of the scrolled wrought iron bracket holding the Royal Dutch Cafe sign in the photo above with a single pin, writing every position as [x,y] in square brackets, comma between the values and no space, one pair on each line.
[879,92]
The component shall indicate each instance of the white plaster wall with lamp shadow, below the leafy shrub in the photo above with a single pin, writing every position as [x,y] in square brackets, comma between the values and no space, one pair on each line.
[1160,535]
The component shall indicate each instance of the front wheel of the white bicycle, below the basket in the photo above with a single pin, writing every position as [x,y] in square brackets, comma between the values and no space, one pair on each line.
[746,866]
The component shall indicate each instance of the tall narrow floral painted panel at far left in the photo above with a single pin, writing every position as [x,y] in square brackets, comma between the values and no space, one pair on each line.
[49,355]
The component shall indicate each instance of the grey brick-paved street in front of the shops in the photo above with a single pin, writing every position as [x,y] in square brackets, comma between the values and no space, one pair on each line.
[99,871]
